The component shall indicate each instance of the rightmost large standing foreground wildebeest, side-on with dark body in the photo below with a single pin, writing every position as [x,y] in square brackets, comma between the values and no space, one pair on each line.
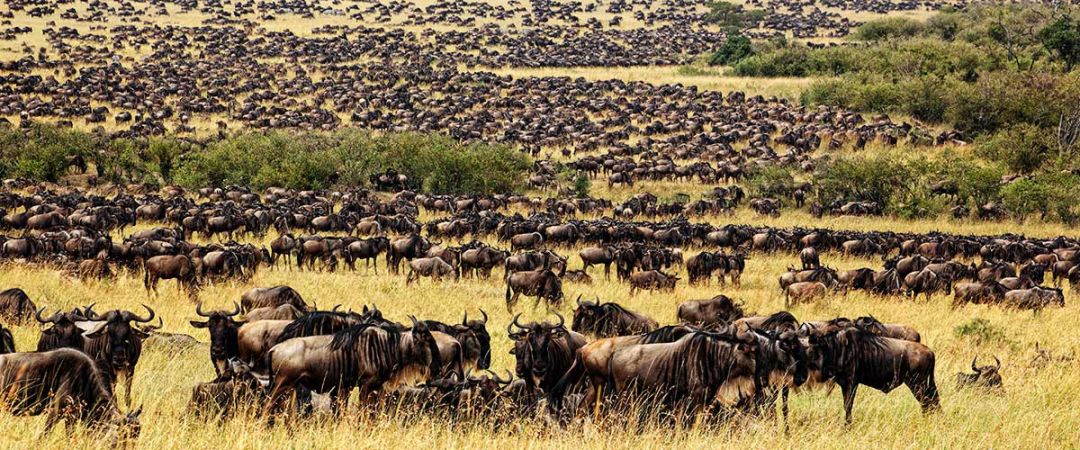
[853,357]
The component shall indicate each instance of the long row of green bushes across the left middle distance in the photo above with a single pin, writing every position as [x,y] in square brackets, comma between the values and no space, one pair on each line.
[314,160]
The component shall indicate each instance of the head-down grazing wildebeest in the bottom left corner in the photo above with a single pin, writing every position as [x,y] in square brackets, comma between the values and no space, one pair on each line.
[65,385]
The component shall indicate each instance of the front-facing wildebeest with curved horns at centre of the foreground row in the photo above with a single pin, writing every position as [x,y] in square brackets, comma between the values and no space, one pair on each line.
[544,352]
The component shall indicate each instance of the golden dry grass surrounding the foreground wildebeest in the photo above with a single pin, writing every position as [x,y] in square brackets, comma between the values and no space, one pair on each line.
[1036,410]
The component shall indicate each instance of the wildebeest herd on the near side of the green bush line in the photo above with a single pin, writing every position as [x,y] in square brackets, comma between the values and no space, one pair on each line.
[277,354]
